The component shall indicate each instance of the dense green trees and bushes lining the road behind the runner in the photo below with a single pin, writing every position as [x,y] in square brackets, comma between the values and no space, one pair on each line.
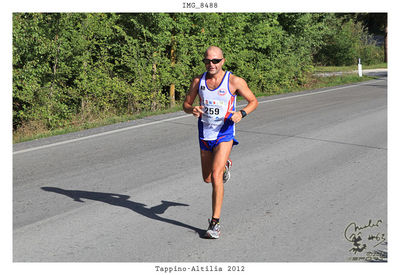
[71,67]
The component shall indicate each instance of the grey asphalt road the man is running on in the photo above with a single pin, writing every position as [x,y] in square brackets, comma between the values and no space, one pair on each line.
[309,175]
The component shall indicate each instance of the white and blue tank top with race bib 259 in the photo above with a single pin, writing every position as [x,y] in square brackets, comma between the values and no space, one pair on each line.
[215,122]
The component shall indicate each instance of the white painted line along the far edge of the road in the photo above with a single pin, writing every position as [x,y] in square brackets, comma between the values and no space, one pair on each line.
[174,118]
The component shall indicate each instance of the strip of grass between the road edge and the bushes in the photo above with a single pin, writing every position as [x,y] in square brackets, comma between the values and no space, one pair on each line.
[315,83]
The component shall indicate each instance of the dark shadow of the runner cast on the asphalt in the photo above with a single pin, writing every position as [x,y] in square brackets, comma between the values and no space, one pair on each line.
[122,201]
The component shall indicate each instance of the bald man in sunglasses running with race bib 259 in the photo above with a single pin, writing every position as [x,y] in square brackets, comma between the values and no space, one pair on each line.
[217,116]
